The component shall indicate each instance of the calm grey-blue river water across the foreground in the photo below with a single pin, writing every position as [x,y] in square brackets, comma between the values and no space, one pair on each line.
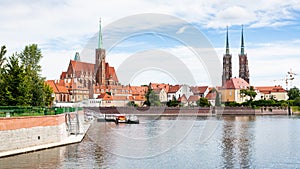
[224,142]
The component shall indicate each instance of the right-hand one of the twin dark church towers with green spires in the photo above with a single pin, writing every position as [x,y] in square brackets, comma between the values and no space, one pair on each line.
[243,61]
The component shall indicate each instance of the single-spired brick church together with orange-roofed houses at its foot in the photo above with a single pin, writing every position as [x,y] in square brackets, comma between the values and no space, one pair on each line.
[83,81]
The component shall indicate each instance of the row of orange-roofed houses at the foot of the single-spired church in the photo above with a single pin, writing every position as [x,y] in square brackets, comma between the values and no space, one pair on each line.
[72,91]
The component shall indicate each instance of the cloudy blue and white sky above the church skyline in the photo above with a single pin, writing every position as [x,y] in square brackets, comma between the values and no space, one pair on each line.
[138,29]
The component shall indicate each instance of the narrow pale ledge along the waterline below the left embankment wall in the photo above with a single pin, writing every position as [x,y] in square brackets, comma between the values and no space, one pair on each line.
[69,140]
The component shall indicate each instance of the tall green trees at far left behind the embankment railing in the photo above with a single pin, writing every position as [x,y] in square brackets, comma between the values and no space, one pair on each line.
[21,83]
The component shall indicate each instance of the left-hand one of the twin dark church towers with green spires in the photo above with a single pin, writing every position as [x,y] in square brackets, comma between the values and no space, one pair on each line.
[227,65]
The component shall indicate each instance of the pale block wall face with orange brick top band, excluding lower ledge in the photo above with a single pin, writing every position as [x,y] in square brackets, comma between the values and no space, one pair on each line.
[24,132]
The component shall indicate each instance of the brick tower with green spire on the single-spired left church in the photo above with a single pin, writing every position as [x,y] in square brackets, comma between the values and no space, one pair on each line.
[100,60]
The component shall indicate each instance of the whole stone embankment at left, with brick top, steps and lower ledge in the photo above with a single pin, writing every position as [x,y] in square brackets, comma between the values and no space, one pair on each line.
[25,134]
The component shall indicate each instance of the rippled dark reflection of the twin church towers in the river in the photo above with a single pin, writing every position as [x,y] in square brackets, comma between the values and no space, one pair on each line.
[237,141]
